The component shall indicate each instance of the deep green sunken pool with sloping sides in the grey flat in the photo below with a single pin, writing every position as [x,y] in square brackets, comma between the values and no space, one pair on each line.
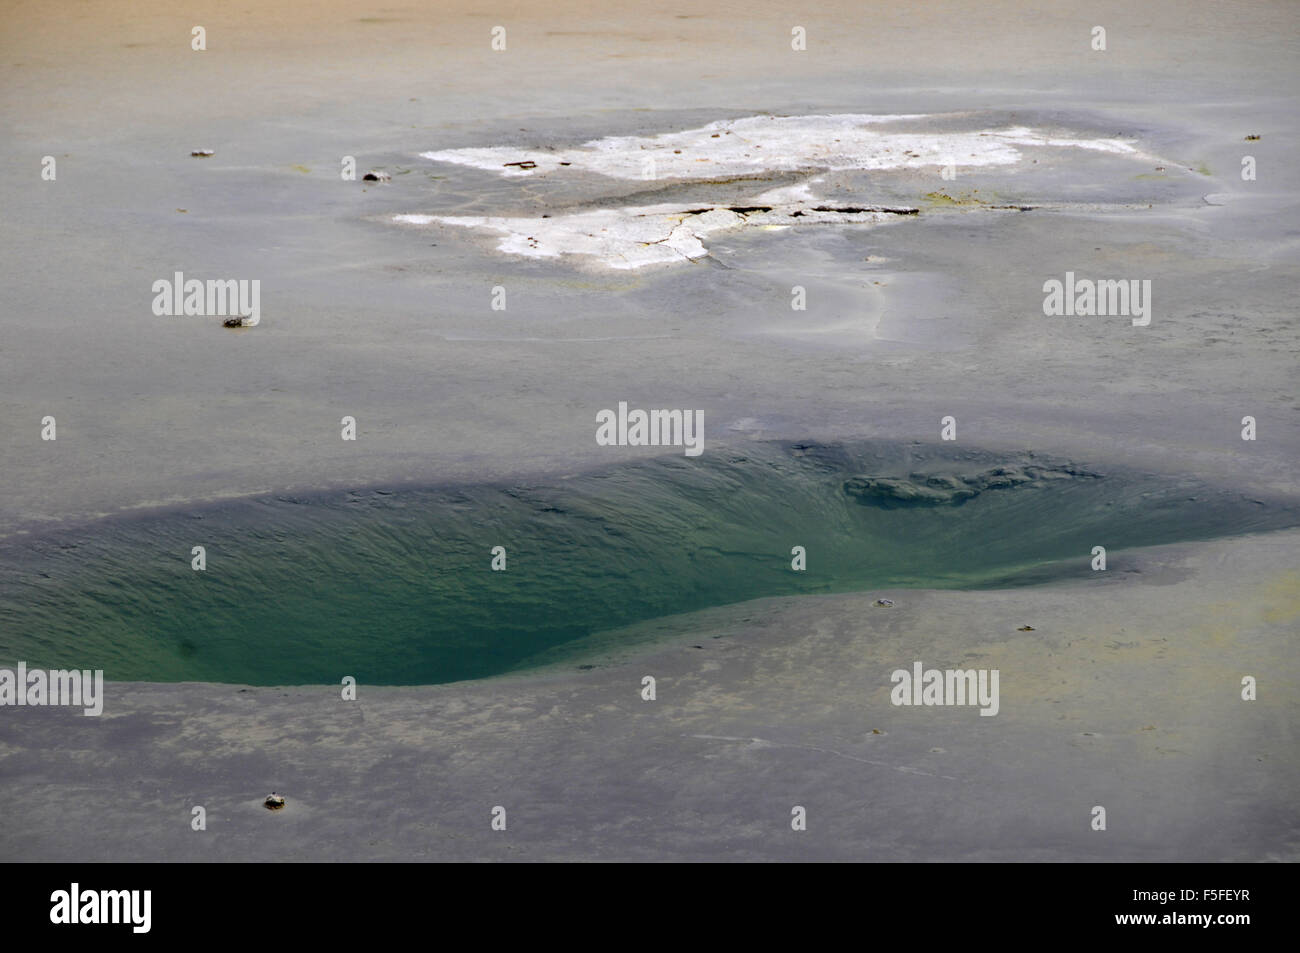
[397,588]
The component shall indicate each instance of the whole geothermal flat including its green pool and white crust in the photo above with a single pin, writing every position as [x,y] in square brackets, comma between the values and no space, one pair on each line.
[972,170]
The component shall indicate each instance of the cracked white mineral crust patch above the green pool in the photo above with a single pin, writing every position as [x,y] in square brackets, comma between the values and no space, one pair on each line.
[813,146]
